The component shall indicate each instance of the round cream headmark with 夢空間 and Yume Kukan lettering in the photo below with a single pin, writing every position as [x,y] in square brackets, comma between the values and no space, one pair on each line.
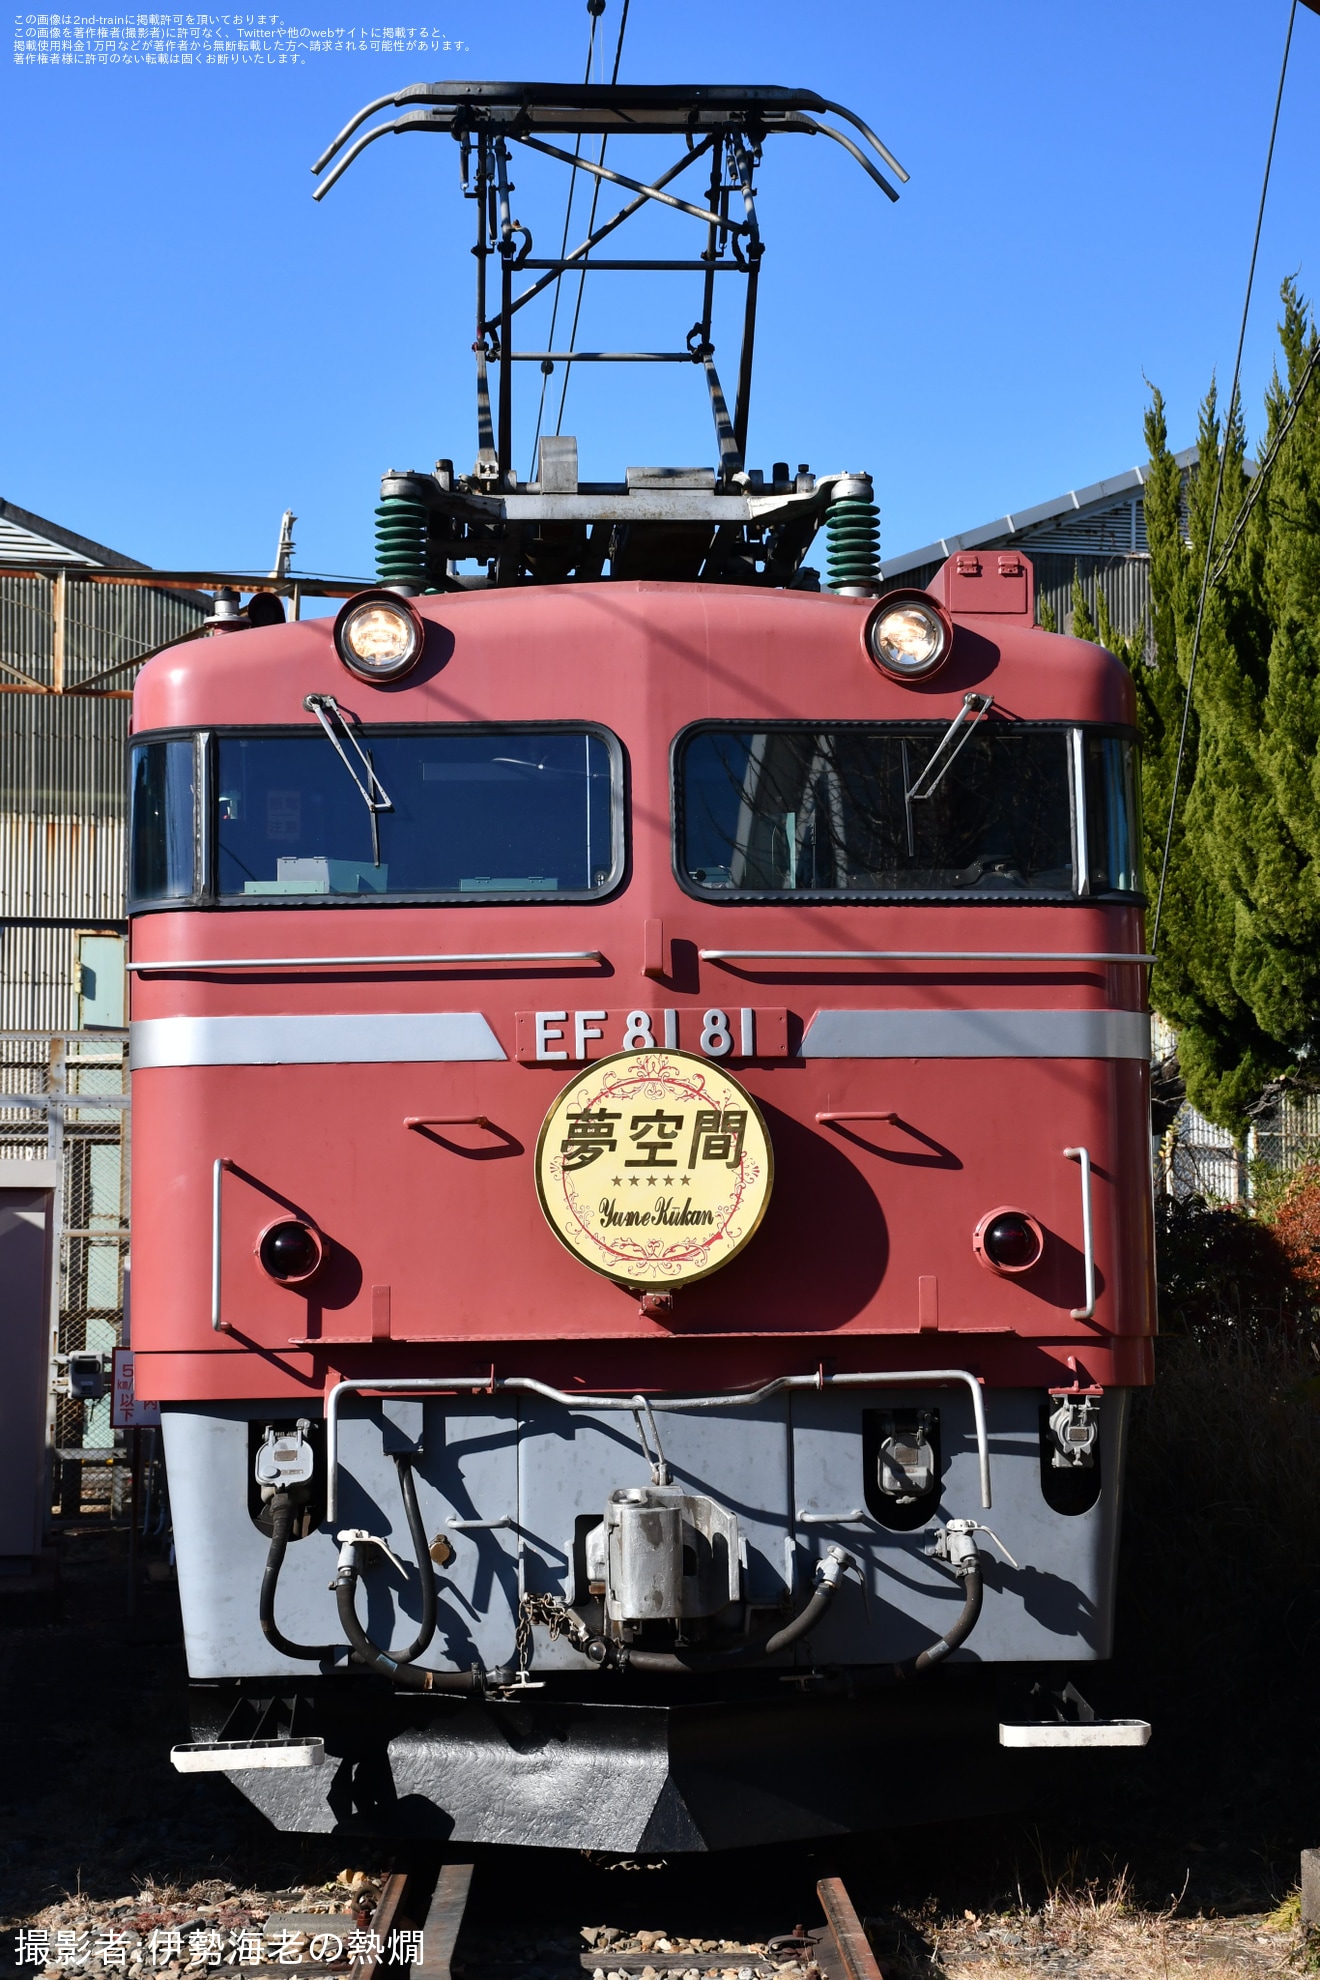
[654,1167]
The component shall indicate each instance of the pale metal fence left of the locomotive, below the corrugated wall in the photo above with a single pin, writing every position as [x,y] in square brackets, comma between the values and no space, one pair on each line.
[64,1098]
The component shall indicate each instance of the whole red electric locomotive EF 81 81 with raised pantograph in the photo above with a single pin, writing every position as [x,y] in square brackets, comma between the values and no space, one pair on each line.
[642,1163]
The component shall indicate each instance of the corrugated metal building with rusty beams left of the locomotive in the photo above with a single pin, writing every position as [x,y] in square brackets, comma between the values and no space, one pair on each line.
[66,648]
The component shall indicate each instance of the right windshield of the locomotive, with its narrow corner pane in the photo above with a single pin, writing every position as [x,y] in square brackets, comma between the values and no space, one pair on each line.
[852,811]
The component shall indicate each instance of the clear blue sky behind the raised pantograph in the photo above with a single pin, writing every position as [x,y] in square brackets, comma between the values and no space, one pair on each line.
[191,346]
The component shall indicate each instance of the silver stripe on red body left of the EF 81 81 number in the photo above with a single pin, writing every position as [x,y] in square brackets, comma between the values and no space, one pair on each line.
[335,1039]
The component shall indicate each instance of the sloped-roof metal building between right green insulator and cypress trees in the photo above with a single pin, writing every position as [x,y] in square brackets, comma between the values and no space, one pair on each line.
[1097,532]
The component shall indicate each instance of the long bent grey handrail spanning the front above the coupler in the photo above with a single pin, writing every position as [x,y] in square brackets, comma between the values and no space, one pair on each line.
[715,1401]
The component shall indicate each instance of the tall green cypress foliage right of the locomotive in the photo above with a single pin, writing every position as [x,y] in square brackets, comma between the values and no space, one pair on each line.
[1240,967]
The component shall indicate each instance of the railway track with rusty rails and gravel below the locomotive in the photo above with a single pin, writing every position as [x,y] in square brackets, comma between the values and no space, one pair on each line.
[452,1926]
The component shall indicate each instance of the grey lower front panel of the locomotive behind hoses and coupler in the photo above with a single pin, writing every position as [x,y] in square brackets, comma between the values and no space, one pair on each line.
[516,1498]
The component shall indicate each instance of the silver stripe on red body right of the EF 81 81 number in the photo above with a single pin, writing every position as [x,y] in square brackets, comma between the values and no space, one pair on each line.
[979,1035]
